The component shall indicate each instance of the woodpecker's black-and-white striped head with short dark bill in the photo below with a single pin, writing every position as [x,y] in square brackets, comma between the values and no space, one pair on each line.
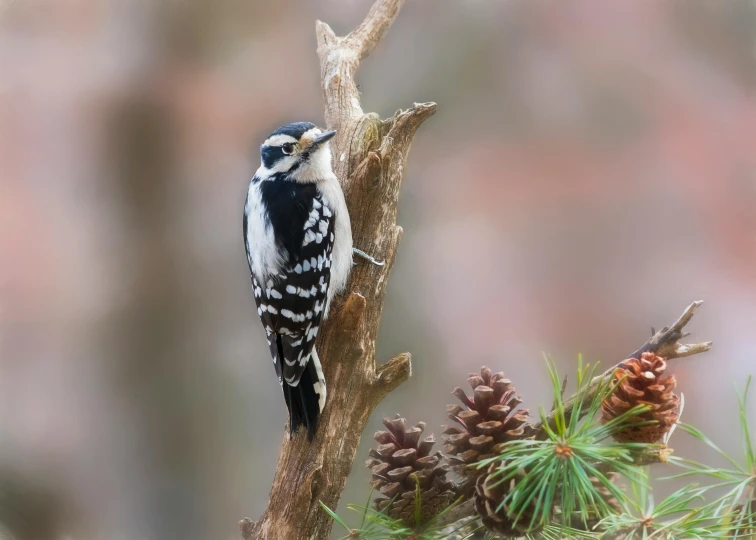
[299,151]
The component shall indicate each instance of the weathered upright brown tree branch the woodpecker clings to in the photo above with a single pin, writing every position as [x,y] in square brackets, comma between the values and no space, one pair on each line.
[369,158]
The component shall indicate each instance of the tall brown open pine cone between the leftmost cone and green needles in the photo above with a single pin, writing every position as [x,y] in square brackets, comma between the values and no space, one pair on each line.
[488,418]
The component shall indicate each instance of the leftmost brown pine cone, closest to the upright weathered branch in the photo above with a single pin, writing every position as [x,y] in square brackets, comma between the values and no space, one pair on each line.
[402,461]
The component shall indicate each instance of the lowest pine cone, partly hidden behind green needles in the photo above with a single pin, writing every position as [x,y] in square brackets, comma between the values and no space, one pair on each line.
[488,497]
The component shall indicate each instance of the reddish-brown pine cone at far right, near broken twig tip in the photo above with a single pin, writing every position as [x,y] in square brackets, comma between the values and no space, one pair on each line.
[643,384]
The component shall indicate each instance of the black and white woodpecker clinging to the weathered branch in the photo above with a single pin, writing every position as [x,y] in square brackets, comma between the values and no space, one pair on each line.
[298,240]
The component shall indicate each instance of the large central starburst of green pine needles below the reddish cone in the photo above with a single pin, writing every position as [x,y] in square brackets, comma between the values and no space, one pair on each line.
[579,447]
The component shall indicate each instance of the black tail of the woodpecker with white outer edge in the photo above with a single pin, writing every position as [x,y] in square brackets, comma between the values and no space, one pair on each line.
[306,399]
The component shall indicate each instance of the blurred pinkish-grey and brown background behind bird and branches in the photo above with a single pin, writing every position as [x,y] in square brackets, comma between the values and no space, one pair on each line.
[591,170]
